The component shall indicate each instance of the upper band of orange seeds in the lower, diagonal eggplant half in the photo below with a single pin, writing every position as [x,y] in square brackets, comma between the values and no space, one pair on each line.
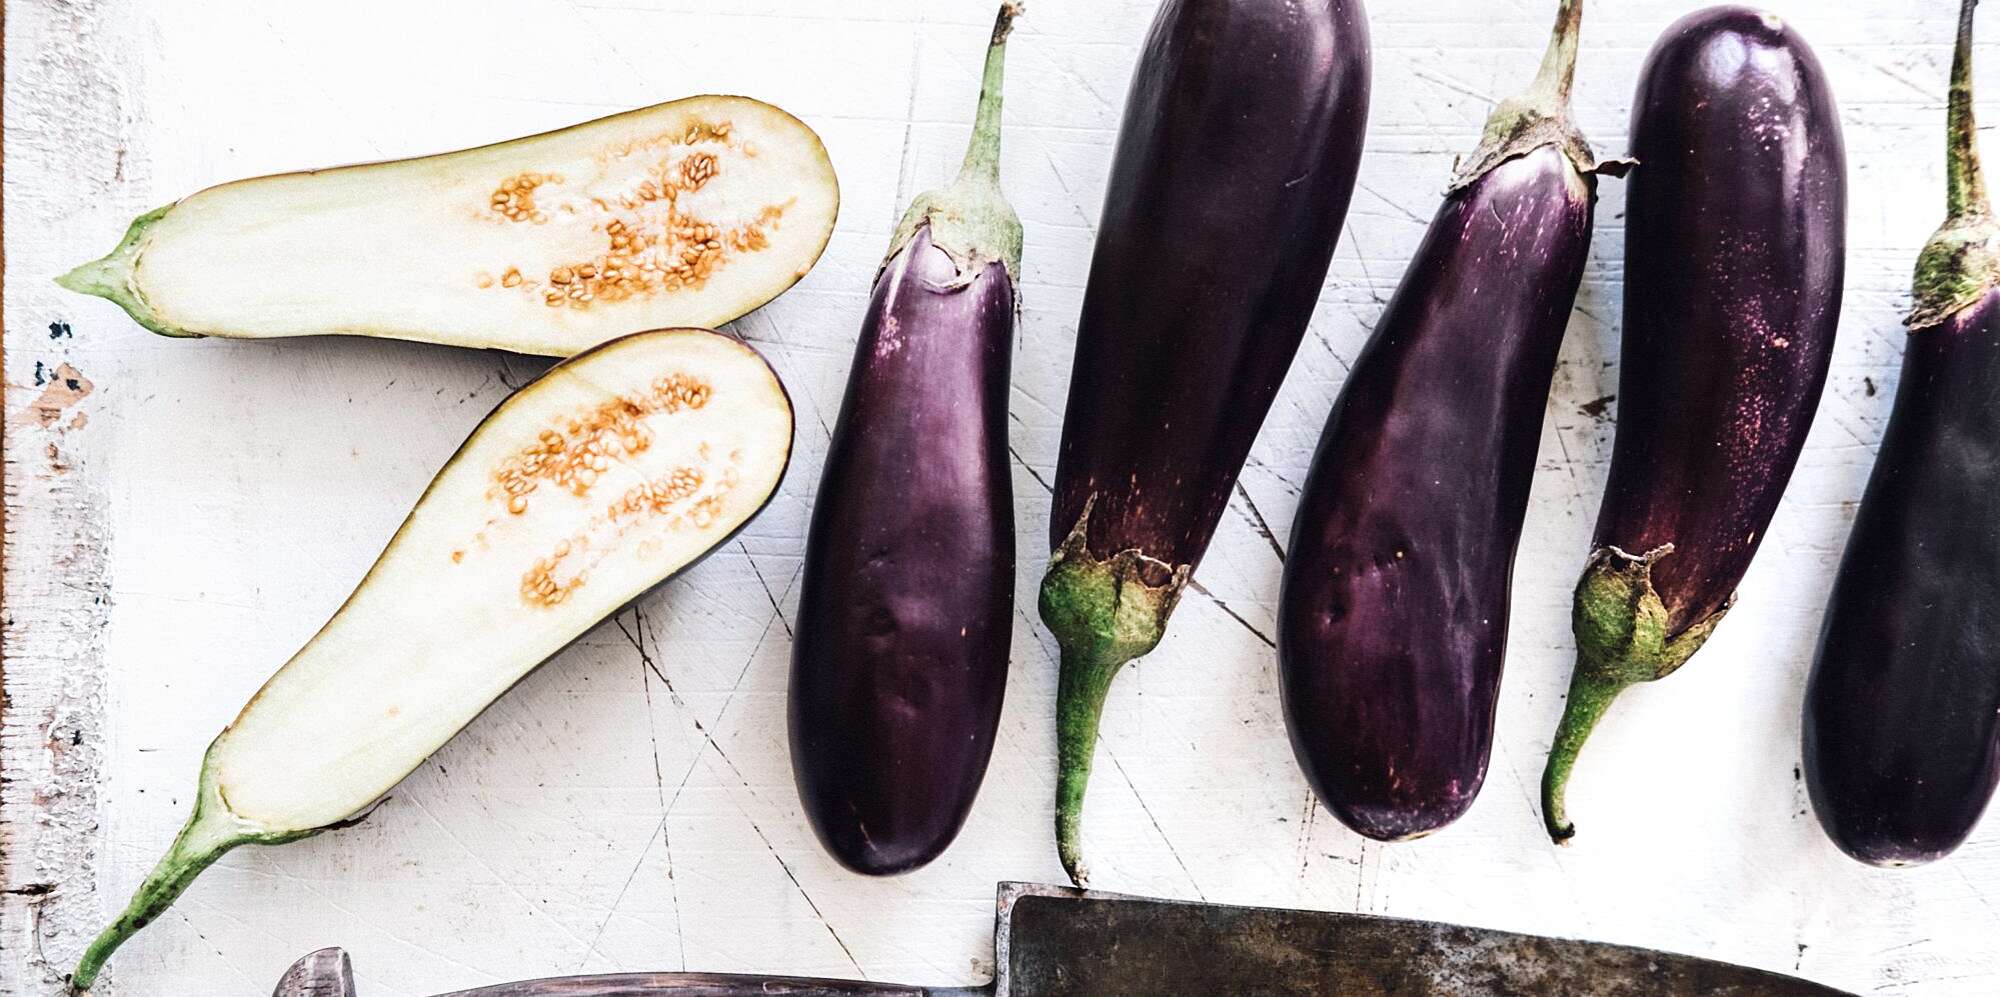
[575,453]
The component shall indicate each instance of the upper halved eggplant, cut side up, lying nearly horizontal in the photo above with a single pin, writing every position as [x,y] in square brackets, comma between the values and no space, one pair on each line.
[679,215]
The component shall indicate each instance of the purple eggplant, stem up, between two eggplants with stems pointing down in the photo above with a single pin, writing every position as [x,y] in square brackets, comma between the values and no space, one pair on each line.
[1395,604]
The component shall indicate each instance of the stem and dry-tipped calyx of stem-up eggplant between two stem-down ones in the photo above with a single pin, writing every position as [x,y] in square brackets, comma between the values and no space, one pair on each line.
[1541,117]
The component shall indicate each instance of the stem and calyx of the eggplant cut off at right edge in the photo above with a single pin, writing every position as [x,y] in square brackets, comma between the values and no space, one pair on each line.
[1961,263]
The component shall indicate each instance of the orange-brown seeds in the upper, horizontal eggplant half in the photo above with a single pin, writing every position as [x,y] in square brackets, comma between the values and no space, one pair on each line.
[651,245]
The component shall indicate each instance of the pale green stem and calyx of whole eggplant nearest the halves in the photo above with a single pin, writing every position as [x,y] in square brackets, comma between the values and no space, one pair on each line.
[971,219]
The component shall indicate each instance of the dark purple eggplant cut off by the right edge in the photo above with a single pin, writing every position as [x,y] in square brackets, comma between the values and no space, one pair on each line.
[1903,712]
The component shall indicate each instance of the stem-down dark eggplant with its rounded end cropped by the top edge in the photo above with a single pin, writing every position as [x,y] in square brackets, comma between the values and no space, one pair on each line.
[1235,165]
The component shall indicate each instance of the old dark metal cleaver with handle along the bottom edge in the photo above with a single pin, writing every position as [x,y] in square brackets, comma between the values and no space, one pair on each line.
[1055,942]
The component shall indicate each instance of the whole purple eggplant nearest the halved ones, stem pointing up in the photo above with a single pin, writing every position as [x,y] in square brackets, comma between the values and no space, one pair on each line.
[905,620]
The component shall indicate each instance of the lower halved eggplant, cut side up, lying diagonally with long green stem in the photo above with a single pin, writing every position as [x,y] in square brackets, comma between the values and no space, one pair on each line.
[599,481]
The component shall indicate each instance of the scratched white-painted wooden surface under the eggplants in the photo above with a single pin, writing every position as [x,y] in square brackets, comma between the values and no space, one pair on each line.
[183,528]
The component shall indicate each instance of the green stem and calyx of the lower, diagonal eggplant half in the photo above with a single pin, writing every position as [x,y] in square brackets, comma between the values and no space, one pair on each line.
[211,834]
